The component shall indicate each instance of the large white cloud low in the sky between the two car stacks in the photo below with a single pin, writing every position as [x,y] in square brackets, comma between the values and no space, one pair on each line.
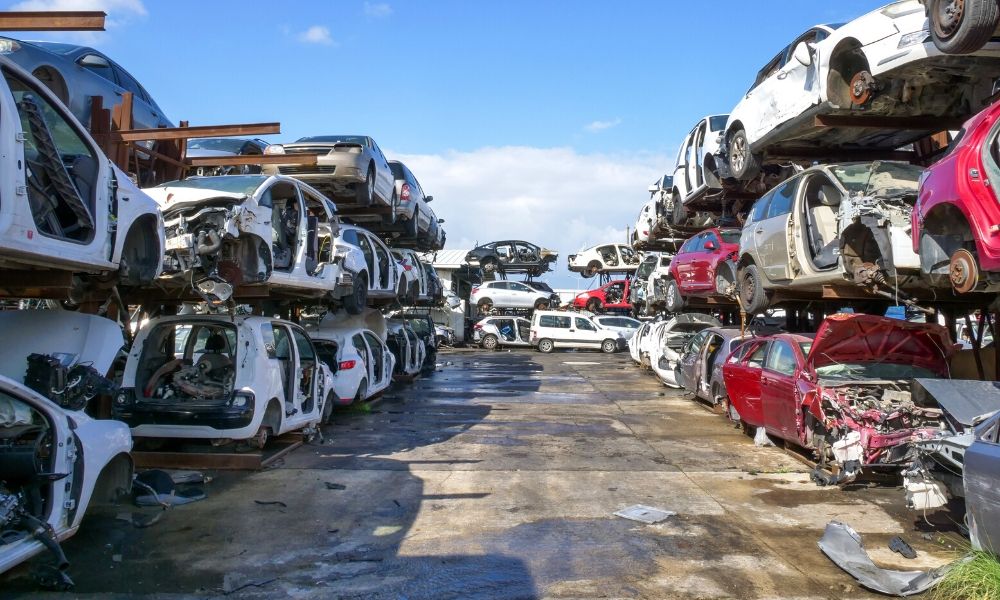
[554,197]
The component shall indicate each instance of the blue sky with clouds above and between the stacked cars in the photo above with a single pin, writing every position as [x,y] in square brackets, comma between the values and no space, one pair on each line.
[614,85]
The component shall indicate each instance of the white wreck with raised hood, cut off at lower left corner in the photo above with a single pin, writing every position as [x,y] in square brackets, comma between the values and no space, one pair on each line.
[55,461]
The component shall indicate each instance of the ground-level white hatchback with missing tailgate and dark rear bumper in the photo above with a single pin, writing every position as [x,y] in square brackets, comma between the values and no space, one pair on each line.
[222,378]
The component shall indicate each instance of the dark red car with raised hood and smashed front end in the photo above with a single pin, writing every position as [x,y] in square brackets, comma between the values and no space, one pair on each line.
[845,392]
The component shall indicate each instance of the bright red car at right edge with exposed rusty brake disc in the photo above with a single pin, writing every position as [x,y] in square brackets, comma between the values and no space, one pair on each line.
[956,221]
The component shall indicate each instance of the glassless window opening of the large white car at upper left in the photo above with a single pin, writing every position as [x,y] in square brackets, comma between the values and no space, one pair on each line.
[62,167]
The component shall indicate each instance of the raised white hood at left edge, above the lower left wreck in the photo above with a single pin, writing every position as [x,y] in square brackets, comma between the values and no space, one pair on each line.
[84,338]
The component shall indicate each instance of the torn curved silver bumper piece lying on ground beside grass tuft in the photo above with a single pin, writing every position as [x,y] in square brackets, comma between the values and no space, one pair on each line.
[844,547]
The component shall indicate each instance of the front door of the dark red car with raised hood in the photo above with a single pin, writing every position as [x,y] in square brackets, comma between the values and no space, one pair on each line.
[777,382]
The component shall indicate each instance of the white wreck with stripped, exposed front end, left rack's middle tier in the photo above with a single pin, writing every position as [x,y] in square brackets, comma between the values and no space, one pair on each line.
[225,232]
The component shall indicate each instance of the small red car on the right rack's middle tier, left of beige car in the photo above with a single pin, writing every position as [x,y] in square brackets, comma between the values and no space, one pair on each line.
[703,267]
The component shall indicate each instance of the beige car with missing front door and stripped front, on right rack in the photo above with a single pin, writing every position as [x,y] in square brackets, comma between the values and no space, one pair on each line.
[843,225]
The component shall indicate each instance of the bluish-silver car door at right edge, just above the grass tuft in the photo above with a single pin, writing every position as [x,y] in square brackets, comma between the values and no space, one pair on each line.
[982,495]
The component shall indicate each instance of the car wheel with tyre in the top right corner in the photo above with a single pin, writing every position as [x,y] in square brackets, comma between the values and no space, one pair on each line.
[962,26]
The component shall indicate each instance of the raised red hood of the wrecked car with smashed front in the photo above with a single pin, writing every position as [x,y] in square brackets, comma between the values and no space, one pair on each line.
[857,338]
